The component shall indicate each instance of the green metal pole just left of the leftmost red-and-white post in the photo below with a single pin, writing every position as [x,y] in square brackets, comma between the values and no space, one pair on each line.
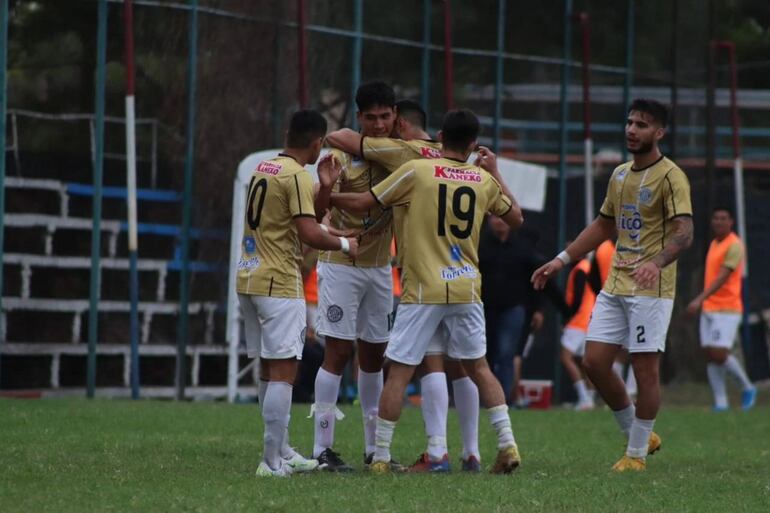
[96,239]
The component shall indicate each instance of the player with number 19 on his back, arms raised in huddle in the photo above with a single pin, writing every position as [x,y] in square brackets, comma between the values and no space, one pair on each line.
[447,200]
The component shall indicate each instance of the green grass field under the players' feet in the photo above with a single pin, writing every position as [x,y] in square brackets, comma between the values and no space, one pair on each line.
[114,455]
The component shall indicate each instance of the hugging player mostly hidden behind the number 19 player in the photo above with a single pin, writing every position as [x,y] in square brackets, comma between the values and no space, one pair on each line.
[413,142]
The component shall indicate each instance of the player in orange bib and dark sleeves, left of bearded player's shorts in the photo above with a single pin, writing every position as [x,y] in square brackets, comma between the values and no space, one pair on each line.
[580,298]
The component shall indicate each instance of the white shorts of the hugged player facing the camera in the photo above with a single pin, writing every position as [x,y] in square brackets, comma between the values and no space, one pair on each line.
[354,302]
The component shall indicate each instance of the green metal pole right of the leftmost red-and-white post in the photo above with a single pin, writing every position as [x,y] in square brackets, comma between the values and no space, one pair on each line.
[184,278]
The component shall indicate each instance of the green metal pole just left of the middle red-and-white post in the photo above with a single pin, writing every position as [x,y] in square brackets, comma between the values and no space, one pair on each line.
[563,142]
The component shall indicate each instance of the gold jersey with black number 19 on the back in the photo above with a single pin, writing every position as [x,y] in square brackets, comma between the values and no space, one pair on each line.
[447,202]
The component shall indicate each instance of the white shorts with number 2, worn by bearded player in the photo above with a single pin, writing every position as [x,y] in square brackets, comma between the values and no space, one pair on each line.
[638,323]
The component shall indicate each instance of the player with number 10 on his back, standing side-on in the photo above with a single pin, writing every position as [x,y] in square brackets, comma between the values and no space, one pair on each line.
[280,215]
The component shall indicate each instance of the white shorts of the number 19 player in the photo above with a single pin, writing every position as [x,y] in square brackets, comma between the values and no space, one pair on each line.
[462,325]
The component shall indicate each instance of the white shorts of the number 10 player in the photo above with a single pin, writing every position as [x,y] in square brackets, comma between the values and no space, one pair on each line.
[274,326]
